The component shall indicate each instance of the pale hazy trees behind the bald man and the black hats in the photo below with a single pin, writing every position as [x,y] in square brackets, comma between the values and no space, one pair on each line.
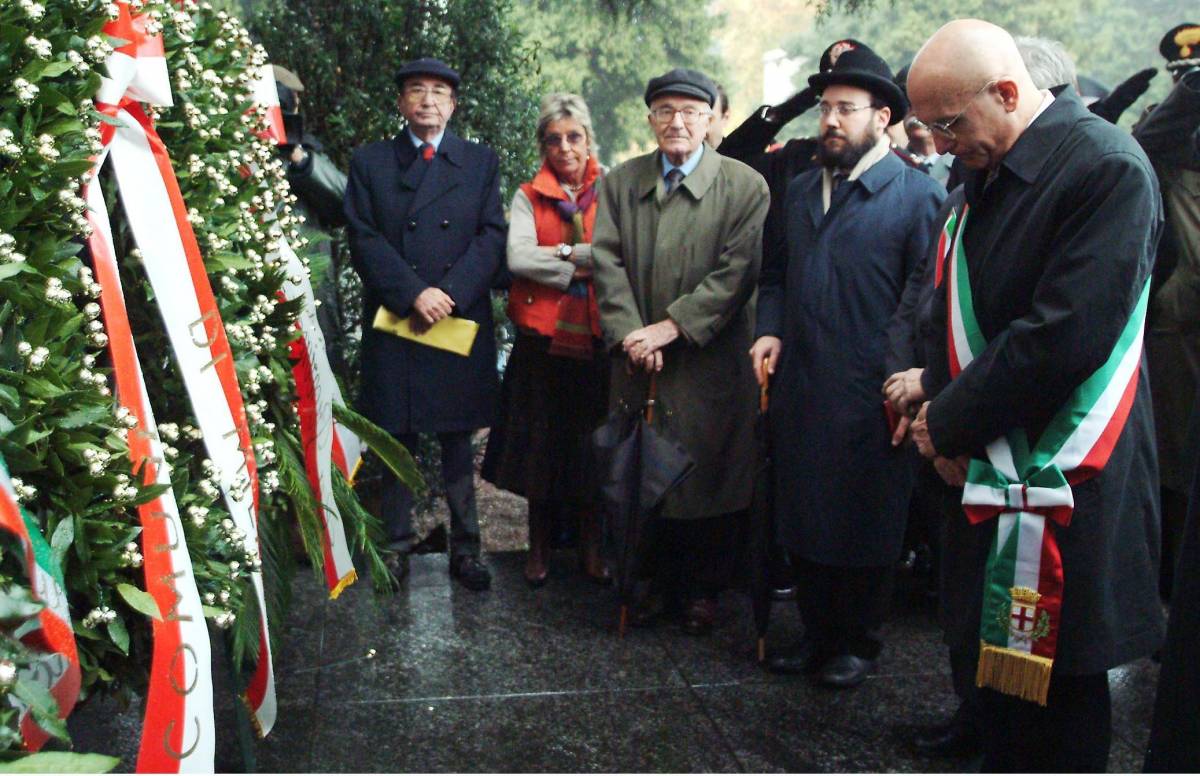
[1111,40]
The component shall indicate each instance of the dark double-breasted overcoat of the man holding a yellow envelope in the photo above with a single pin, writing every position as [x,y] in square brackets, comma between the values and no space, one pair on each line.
[415,225]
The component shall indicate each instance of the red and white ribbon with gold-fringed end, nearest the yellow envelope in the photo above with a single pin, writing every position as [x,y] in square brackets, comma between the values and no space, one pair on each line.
[319,393]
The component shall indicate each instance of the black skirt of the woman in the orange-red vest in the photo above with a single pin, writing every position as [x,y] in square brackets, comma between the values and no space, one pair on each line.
[541,446]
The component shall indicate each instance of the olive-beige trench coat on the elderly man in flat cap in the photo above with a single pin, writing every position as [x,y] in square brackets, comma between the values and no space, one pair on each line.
[693,257]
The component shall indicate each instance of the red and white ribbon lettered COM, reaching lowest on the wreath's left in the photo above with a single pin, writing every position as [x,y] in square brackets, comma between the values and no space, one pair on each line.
[179,733]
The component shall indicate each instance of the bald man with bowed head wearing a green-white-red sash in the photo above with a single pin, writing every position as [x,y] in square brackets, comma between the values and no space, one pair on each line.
[1059,245]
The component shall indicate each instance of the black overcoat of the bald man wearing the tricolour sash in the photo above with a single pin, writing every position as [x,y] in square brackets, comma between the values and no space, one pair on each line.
[1059,248]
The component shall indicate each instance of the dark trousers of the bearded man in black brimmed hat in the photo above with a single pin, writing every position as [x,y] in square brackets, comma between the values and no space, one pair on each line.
[843,606]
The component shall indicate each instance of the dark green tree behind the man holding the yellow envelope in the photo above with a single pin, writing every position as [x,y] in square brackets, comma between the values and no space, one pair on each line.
[347,52]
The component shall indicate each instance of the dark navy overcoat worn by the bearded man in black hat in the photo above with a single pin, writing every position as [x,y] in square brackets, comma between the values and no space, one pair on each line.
[842,492]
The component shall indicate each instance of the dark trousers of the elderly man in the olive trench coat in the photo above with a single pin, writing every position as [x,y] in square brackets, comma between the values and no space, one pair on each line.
[689,560]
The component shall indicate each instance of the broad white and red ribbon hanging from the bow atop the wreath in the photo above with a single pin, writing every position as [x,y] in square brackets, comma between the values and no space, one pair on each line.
[158,219]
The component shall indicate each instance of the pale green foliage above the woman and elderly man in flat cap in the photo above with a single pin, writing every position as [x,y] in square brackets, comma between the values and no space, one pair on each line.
[608,52]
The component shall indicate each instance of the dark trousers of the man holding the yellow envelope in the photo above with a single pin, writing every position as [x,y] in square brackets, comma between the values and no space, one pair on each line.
[458,478]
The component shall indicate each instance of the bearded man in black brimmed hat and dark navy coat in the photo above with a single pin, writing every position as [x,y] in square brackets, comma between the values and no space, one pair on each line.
[856,230]
